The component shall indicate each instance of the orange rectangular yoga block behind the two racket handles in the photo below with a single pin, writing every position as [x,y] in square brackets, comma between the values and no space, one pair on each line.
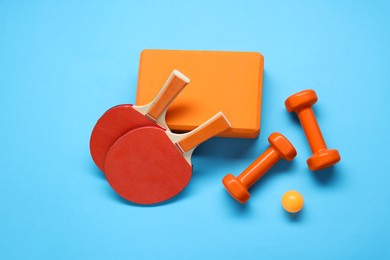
[230,82]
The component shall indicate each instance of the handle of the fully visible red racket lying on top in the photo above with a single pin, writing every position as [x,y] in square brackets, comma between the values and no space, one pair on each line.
[208,129]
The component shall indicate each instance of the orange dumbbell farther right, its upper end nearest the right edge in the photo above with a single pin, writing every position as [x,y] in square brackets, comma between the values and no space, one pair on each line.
[302,103]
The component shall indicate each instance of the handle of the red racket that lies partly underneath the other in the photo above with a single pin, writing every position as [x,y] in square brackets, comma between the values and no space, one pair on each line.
[172,87]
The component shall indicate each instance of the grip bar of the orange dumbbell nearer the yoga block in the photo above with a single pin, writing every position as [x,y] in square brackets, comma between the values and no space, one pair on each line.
[259,167]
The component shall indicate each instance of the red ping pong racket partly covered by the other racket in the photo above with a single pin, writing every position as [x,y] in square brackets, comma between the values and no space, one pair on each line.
[118,120]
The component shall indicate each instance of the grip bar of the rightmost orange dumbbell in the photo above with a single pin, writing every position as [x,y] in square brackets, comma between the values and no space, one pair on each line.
[312,129]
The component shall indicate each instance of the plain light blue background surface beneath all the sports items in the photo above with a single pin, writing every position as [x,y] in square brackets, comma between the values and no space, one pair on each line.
[63,63]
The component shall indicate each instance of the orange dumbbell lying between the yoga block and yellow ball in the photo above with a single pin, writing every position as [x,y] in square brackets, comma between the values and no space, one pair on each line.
[279,148]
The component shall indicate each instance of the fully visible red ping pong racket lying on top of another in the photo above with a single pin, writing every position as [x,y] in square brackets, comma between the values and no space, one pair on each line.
[149,165]
